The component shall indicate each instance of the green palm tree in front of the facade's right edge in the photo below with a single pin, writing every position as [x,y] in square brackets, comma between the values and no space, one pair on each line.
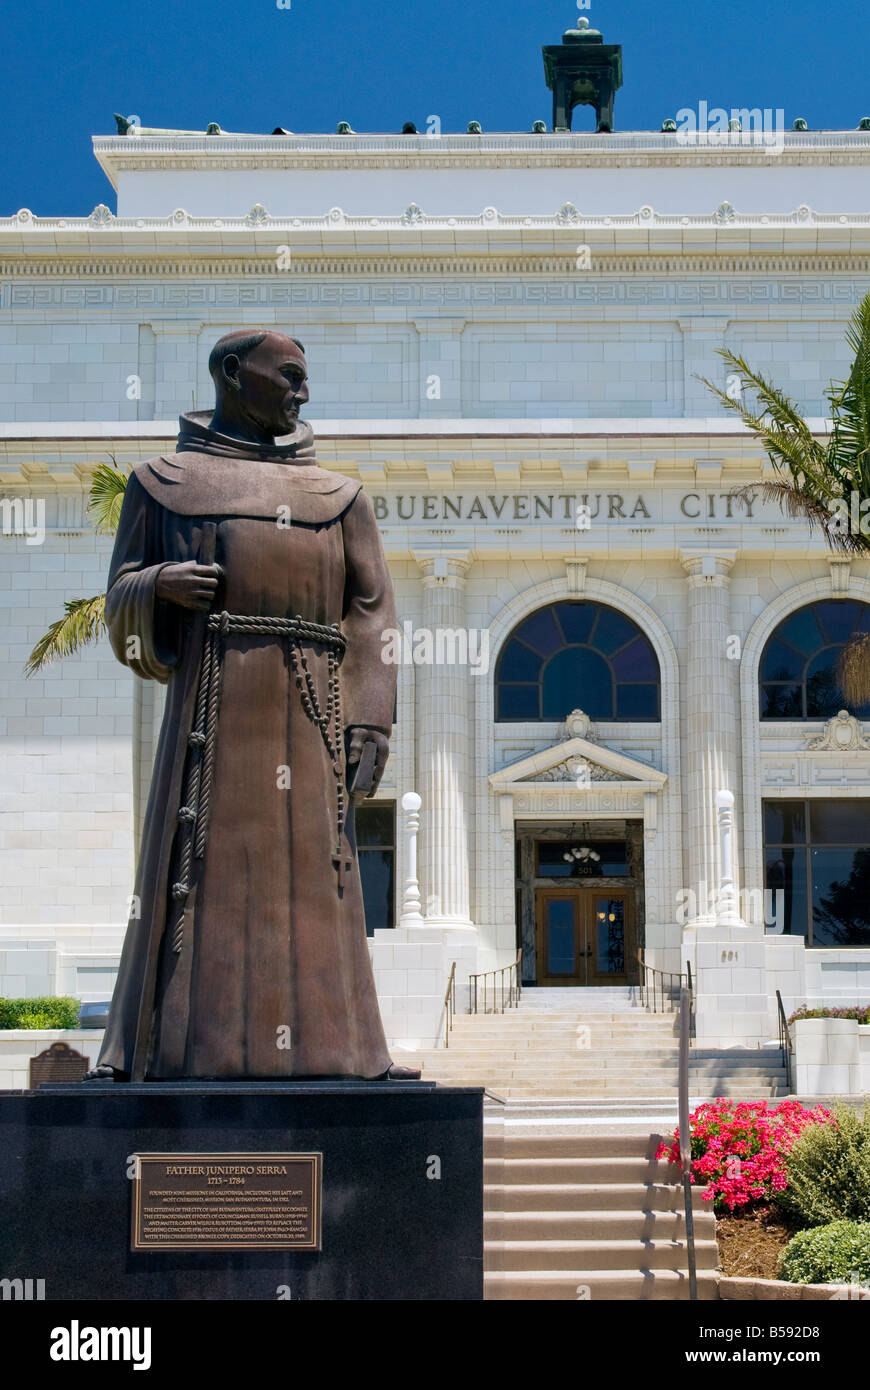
[816,480]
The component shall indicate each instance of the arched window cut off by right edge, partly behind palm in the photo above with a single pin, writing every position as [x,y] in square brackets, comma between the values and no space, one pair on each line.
[798,671]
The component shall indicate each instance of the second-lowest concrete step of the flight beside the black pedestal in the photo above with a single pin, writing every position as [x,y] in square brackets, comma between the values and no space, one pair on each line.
[597,1254]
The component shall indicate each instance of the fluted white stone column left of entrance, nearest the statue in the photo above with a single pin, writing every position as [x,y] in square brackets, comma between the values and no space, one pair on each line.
[444,739]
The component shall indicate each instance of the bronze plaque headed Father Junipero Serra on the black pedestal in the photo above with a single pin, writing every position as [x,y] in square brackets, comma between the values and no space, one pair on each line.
[227,1202]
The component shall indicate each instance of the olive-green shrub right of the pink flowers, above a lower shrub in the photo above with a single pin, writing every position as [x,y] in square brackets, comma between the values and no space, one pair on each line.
[828,1171]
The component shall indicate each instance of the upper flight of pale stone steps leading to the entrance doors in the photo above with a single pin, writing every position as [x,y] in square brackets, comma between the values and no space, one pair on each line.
[591,1043]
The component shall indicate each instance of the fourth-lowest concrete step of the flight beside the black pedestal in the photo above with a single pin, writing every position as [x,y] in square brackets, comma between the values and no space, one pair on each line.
[540,1193]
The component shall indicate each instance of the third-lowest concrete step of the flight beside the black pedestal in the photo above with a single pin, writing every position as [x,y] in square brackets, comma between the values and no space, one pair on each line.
[596,1227]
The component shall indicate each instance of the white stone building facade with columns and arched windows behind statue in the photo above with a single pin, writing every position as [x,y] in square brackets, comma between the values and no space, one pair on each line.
[501,332]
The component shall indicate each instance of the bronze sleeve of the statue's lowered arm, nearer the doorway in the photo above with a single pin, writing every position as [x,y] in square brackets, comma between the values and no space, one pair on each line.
[369,685]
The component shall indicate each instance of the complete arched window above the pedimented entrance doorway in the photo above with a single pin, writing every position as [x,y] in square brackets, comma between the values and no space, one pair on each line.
[577,655]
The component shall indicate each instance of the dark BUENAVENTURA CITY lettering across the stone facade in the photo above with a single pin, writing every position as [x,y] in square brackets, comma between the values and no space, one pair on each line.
[561,507]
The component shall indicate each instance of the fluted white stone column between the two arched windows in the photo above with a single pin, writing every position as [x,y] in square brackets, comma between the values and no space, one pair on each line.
[711,722]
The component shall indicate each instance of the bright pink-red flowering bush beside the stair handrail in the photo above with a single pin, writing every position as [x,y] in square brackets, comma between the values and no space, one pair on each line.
[740,1147]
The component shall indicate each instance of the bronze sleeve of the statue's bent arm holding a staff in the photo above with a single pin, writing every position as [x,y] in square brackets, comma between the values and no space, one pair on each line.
[145,632]
